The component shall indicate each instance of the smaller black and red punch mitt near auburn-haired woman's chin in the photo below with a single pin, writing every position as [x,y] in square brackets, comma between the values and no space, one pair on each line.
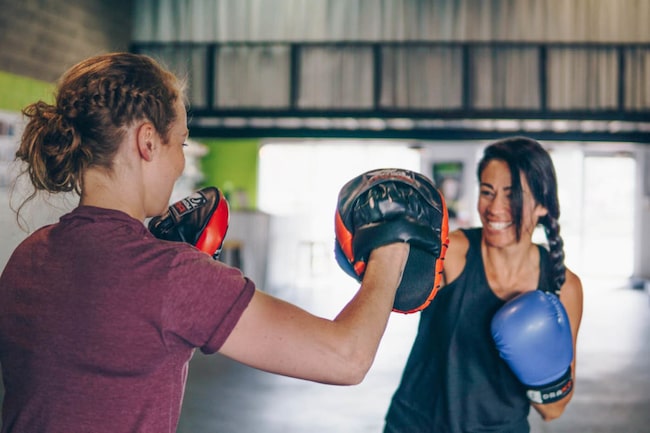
[201,219]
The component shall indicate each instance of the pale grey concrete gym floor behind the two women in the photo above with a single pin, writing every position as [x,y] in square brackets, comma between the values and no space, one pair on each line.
[612,388]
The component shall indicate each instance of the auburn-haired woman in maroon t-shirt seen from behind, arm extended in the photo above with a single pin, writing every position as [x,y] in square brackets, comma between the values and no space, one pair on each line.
[99,318]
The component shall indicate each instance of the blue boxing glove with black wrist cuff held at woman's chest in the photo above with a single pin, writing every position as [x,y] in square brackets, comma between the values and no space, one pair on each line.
[533,336]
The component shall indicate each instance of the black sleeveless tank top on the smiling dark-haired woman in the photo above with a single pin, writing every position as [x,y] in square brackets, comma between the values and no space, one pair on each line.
[454,380]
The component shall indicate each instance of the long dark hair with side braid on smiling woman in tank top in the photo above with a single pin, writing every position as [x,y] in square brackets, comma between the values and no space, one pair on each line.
[526,156]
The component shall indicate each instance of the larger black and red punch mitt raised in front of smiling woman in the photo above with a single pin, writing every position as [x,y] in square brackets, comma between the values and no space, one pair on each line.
[384,206]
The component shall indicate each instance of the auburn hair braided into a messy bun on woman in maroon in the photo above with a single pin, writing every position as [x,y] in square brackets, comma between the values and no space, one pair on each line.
[96,101]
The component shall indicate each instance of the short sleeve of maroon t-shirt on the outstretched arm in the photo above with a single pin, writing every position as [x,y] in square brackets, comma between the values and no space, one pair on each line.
[203,302]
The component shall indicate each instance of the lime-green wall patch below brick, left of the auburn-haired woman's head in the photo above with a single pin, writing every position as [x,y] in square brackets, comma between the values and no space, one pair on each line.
[17,92]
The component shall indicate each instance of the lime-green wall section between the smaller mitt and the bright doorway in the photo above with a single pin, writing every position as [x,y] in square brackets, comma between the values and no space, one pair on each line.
[231,165]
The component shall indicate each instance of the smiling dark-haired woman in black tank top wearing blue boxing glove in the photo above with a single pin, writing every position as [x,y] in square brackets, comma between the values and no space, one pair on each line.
[500,335]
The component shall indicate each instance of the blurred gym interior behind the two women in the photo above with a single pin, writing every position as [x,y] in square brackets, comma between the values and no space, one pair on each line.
[291,98]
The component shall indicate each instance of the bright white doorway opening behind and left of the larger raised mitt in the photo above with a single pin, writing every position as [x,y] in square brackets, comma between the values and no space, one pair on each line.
[299,182]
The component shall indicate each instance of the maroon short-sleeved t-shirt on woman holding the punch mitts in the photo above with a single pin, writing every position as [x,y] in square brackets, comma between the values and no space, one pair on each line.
[98,320]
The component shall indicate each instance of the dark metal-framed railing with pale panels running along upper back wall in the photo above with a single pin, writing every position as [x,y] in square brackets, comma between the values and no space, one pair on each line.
[414,89]
